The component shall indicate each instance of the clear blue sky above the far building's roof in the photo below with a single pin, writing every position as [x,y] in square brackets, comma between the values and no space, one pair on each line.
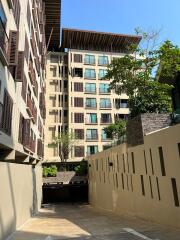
[123,16]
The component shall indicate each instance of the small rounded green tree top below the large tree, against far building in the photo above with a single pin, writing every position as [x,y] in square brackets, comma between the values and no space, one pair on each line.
[116,130]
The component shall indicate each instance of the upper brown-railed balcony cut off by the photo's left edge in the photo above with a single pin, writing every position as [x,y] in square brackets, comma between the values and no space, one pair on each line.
[3,46]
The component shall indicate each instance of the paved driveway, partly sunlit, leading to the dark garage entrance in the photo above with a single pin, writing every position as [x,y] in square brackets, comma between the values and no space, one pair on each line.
[81,222]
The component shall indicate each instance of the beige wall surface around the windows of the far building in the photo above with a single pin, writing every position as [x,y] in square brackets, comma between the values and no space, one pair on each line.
[54,122]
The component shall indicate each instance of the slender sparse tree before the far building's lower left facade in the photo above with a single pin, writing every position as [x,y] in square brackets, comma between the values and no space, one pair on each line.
[65,143]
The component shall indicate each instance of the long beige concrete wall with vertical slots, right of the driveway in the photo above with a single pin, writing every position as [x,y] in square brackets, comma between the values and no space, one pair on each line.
[115,179]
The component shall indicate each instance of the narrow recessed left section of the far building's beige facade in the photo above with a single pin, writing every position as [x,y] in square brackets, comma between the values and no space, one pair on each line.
[56,92]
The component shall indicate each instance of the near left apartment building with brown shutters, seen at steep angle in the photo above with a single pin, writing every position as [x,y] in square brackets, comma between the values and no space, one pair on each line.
[22,85]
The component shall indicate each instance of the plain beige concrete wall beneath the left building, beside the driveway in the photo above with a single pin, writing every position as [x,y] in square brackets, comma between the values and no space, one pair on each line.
[20,195]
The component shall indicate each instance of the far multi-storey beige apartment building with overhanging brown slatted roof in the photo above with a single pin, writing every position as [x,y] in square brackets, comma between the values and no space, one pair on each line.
[78,97]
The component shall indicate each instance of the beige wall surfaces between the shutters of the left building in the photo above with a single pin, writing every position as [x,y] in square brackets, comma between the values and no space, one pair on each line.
[9,144]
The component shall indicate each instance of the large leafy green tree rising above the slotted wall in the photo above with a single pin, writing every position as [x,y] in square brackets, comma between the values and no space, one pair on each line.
[134,74]
